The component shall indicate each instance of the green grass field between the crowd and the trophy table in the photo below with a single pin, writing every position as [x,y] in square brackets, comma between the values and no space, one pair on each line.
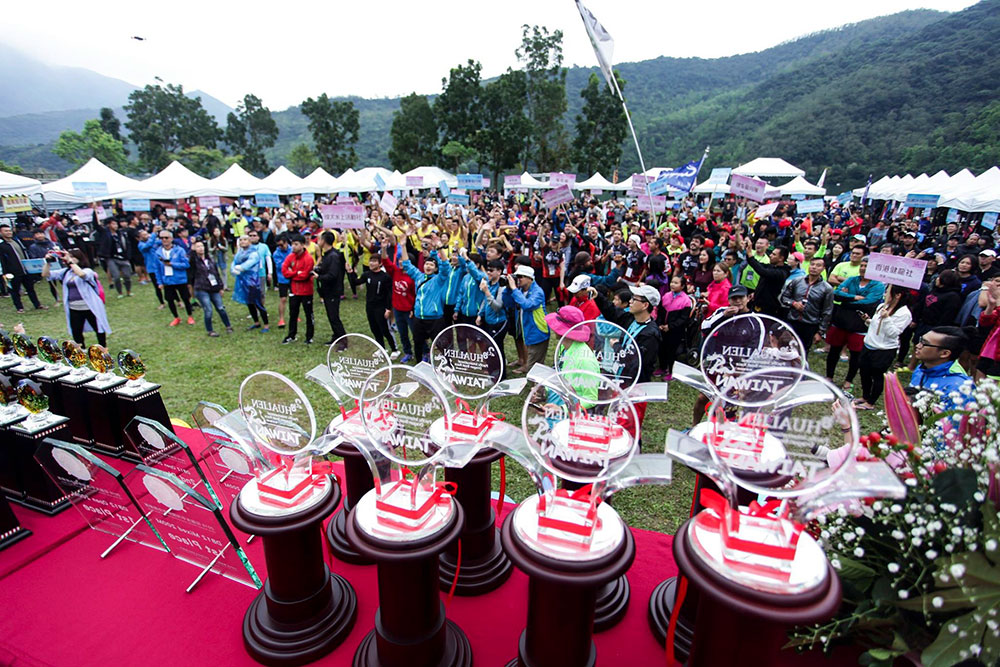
[192,367]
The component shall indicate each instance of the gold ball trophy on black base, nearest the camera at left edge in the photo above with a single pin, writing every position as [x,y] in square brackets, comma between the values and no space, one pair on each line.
[39,492]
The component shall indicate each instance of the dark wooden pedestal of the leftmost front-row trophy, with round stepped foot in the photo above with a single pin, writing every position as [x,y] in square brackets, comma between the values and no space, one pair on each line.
[304,611]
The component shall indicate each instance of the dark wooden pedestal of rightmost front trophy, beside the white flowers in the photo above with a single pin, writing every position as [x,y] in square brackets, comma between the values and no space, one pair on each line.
[737,625]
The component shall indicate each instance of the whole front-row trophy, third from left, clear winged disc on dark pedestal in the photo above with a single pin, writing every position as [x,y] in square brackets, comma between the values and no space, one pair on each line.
[577,427]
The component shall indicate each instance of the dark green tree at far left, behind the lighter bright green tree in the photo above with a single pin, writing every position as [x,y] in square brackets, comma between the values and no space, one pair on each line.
[163,120]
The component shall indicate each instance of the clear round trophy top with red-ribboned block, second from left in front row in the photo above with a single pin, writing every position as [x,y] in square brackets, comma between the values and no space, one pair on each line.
[406,417]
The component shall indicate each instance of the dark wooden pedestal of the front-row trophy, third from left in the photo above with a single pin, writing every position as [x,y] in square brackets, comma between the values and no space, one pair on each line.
[562,598]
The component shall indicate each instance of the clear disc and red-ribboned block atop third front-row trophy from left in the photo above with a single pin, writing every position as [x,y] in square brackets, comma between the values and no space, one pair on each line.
[582,428]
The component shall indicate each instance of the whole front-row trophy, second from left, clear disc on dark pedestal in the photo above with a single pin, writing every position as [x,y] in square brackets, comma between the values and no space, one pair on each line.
[408,518]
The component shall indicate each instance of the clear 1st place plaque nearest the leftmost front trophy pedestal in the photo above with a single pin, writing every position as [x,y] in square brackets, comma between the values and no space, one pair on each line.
[191,524]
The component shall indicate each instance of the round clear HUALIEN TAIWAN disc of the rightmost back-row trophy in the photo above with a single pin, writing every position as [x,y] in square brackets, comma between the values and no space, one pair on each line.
[746,343]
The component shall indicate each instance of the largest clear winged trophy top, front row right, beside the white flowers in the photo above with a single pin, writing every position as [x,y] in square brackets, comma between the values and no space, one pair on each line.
[783,440]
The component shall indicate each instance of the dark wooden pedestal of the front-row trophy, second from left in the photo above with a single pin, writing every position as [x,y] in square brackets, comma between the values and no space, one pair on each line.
[410,625]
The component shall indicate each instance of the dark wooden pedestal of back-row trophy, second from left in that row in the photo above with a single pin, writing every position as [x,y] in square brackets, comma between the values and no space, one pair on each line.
[484,565]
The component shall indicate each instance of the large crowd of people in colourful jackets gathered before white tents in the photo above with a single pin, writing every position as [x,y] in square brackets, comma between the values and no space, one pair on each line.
[509,265]
